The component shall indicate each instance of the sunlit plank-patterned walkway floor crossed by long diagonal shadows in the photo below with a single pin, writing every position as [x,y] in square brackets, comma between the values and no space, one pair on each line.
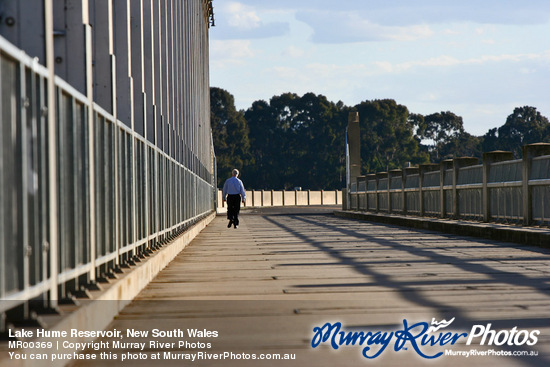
[263,287]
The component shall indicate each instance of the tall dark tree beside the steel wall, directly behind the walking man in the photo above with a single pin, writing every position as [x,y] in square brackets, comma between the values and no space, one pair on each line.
[229,133]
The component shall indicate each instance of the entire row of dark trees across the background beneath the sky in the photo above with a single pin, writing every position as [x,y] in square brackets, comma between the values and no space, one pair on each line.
[298,141]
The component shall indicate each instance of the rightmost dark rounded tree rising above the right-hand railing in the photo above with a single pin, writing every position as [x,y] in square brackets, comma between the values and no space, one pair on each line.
[524,126]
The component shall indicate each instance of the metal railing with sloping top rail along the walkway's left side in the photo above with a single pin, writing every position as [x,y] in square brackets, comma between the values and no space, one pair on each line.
[118,195]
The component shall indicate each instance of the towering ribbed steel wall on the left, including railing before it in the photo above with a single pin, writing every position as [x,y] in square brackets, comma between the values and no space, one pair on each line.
[105,144]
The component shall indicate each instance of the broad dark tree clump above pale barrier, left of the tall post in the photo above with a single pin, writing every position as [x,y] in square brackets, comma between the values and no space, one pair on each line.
[297,141]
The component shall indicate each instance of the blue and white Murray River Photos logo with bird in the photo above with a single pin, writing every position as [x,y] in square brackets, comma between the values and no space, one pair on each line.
[425,339]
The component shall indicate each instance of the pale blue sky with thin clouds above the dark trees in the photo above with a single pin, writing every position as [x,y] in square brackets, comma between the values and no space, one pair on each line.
[478,59]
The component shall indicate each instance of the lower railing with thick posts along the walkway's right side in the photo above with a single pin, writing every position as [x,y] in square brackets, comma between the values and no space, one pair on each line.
[500,189]
